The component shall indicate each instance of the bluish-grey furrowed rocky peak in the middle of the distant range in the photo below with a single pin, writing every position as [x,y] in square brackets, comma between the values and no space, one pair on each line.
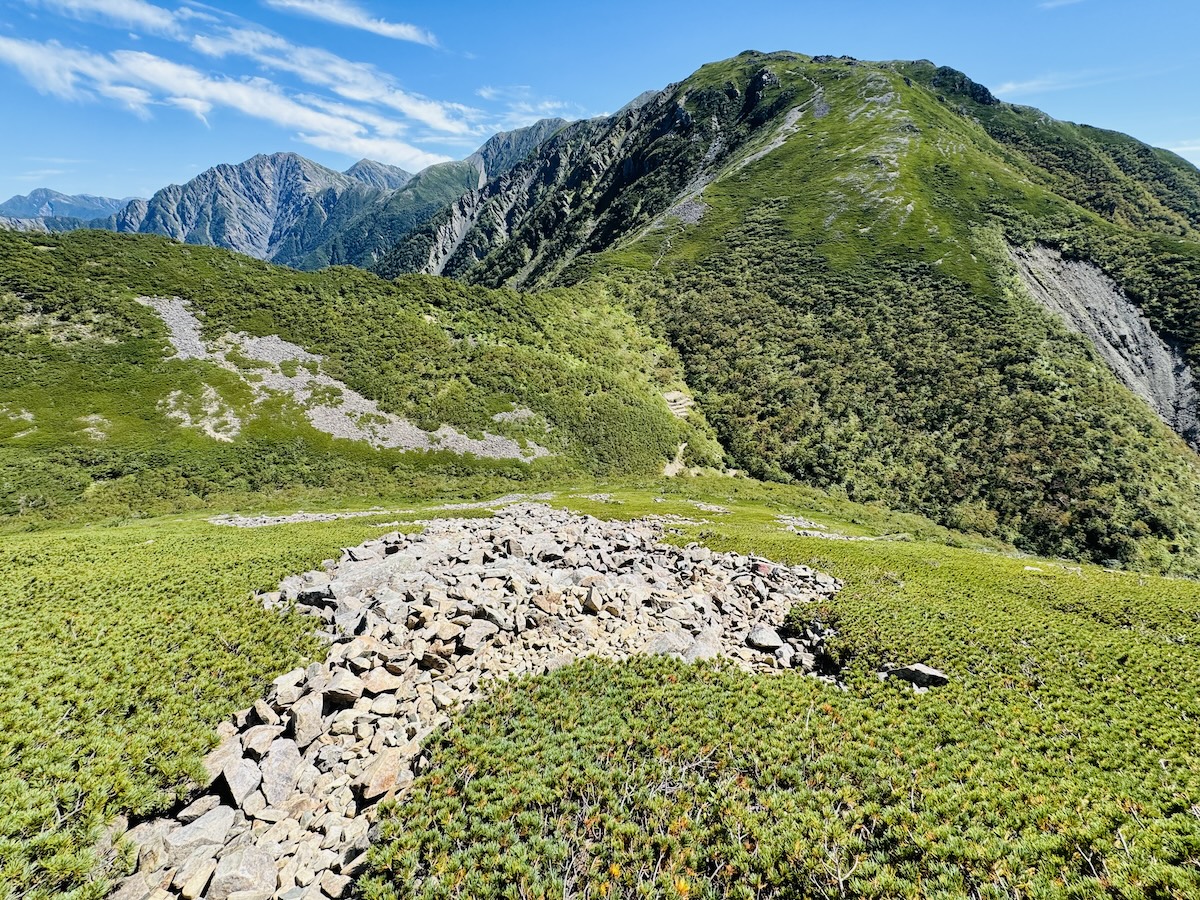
[263,207]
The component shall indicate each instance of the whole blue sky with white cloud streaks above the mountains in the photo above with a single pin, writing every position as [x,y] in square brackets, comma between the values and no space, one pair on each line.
[121,98]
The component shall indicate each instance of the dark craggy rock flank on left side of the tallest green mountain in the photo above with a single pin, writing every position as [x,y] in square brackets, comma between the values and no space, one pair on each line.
[592,184]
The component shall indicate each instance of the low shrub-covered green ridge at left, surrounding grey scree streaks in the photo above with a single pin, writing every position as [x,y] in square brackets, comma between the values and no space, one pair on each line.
[92,398]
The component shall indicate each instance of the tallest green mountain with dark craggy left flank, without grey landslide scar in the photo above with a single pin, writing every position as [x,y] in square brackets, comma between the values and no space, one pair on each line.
[825,242]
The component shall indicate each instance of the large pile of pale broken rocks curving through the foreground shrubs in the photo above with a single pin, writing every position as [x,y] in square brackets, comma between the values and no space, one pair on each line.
[418,625]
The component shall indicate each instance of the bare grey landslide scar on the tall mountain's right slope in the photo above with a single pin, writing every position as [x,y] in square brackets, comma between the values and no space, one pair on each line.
[1091,304]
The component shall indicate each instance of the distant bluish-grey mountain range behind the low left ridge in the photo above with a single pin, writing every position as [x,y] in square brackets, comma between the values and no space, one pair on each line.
[285,208]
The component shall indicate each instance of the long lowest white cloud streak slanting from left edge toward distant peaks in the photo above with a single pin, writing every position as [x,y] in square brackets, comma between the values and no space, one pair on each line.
[141,81]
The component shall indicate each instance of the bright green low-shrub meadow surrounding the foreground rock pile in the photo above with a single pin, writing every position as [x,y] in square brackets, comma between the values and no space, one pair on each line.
[1061,760]
